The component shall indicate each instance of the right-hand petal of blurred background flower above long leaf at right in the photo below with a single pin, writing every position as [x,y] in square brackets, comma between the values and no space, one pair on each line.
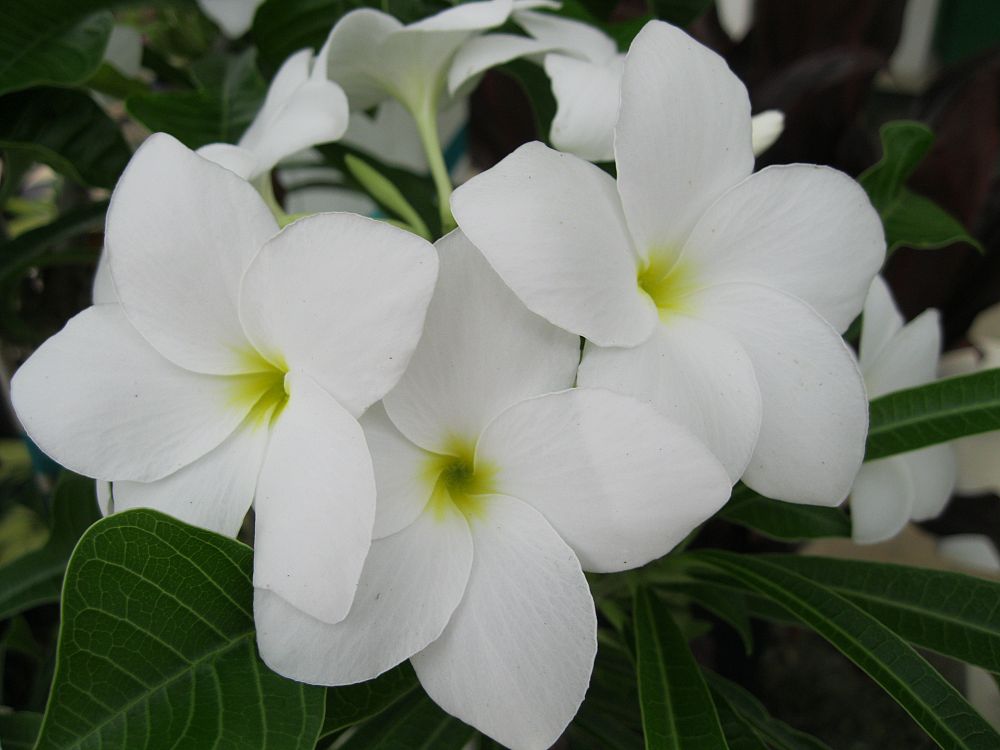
[908,359]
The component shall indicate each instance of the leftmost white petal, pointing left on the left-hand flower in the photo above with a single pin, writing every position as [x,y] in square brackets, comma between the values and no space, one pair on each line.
[100,401]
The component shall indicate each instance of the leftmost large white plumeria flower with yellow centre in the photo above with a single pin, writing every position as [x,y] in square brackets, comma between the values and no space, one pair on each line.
[232,364]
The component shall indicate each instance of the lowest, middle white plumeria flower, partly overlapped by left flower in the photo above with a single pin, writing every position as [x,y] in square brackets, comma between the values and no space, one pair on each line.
[497,488]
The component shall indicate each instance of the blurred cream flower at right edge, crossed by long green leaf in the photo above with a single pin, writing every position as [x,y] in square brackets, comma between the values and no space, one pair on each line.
[978,455]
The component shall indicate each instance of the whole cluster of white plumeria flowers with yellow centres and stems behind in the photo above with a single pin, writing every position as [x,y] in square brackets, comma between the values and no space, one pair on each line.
[439,441]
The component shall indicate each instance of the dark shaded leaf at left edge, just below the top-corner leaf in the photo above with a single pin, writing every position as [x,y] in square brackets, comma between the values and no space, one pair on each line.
[68,131]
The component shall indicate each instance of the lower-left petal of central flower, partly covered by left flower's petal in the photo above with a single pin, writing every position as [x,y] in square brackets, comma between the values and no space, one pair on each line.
[410,586]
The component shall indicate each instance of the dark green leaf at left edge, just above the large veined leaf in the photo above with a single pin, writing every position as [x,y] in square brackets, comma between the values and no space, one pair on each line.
[36,578]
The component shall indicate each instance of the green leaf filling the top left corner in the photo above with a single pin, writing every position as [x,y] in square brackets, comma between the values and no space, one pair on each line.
[58,42]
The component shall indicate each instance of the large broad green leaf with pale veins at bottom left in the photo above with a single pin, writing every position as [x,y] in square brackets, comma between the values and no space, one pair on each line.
[157,641]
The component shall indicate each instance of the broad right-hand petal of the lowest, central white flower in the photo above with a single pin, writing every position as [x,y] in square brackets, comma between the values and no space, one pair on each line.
[620,483]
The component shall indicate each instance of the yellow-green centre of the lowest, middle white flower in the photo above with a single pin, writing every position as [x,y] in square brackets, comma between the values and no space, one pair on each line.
[459,481]
